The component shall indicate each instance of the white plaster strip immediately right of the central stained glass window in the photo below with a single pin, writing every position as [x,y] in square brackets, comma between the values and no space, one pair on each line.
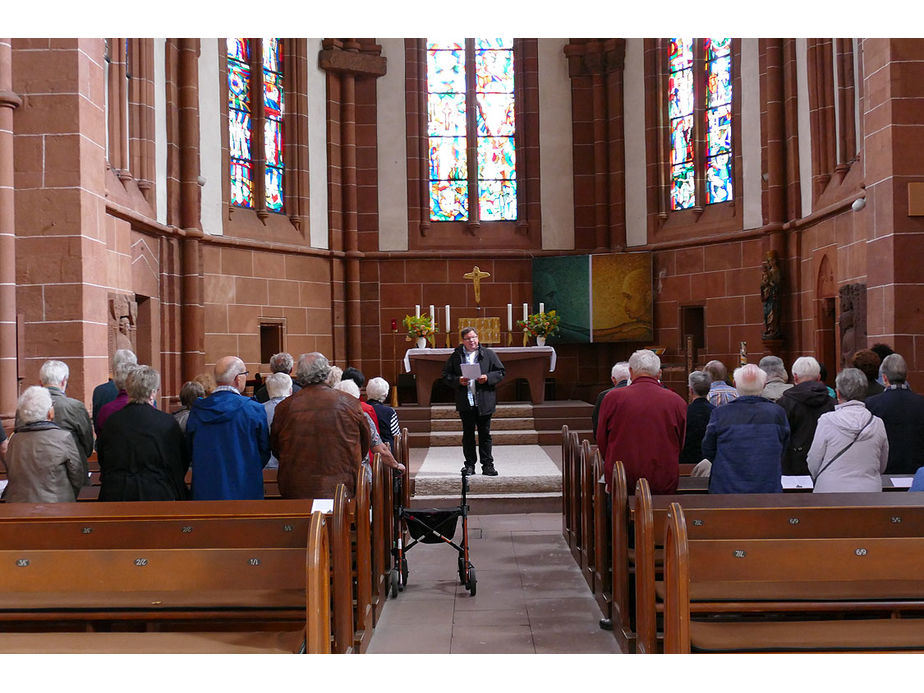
[556,165]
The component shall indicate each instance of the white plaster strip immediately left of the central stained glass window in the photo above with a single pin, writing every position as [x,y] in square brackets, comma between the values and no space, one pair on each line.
[392,149]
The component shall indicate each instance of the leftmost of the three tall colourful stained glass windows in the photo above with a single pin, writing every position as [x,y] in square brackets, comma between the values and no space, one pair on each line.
[265,111]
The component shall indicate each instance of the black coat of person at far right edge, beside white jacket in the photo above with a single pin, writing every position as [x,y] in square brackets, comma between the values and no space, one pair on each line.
[902,412]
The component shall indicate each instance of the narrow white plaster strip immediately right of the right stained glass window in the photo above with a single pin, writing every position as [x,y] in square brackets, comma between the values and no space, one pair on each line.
[752,169]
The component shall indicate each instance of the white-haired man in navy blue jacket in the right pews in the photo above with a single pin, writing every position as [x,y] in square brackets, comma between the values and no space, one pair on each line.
[745,439]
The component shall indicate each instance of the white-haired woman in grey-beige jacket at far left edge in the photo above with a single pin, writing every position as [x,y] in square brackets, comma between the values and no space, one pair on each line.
[43,463]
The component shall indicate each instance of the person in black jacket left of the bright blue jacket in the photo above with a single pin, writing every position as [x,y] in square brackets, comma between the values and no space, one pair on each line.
[142,451]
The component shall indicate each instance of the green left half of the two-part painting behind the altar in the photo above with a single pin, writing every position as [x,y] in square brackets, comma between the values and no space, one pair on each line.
[562,284]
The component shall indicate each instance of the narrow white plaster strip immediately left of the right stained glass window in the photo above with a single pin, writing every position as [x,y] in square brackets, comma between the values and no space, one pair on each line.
[635,152]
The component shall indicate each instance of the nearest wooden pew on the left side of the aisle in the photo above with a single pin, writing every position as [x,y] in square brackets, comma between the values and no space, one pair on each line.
[191,571]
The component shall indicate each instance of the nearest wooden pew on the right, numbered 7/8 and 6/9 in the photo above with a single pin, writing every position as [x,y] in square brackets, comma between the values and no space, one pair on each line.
[780,594]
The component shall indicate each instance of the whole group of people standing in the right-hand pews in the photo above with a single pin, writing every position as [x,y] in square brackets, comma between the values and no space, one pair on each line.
[748,433]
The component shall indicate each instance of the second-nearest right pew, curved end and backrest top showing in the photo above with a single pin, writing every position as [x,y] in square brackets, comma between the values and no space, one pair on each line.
[746,516]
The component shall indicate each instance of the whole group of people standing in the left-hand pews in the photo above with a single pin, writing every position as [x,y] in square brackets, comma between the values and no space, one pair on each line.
[308,418]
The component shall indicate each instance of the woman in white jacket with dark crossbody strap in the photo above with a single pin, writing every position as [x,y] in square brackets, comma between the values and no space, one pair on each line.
[850,449]
